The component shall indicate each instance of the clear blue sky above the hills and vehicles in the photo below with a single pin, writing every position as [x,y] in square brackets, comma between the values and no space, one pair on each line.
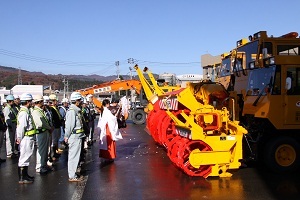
[88,37]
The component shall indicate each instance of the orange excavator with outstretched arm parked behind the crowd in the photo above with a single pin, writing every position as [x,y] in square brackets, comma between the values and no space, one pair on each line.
[118,88]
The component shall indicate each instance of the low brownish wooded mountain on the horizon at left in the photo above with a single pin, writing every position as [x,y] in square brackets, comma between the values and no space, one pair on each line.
[10,77]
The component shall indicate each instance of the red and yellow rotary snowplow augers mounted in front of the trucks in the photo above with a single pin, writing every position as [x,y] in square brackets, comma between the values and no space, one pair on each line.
[195,128]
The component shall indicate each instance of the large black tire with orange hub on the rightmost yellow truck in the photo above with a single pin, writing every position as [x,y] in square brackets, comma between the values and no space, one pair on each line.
[282,154]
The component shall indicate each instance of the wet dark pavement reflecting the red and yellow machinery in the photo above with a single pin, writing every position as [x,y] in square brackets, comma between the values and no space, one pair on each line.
[143,171]
